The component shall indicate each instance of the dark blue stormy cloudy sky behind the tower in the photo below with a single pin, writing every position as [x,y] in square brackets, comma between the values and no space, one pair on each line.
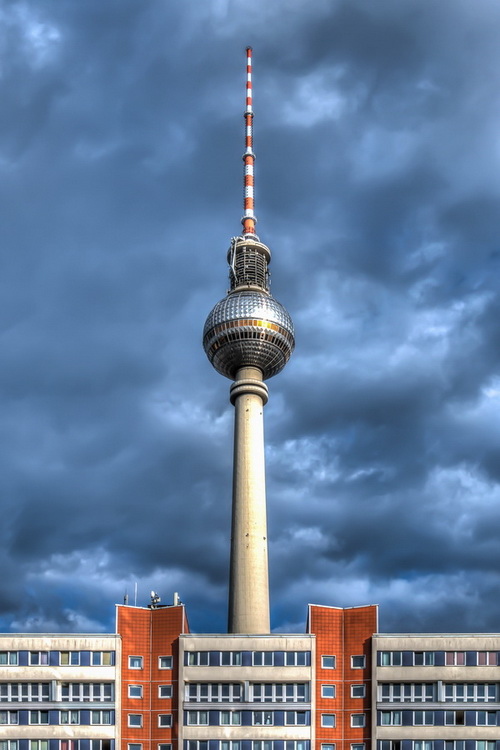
[377,134]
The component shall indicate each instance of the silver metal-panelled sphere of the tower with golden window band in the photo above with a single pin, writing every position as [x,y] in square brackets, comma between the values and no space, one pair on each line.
[248,329]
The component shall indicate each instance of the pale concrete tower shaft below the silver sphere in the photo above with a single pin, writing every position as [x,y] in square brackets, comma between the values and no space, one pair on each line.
[249,580]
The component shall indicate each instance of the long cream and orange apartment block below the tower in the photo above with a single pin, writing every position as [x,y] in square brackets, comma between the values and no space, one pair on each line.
[339,686]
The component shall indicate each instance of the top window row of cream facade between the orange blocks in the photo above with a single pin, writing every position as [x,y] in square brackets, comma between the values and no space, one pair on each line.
[247,658]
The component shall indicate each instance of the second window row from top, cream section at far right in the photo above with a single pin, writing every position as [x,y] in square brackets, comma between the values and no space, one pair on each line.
[458,692]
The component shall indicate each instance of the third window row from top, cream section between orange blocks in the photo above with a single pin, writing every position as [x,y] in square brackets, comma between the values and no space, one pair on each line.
[247,718]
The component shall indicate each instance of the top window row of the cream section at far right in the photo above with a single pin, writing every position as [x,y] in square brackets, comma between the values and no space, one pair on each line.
[437,658]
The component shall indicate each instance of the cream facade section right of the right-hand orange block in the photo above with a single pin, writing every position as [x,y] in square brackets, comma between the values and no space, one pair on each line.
[436,692]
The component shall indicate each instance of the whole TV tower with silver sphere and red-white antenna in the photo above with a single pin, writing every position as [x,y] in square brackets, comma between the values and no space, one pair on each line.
[248,337]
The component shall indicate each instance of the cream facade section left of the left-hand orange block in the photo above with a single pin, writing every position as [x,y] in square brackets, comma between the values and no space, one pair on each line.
[59,692]
